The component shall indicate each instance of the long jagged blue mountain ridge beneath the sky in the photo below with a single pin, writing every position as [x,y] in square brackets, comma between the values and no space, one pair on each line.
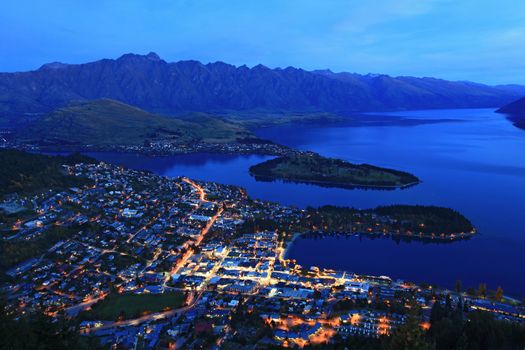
[150,83]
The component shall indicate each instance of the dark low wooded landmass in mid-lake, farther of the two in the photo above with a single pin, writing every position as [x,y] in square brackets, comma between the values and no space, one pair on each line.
[309,167]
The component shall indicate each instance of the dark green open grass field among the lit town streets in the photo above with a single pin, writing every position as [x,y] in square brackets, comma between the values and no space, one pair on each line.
[129,306]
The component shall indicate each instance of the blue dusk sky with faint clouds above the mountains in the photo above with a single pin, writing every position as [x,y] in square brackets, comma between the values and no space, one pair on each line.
[478,40]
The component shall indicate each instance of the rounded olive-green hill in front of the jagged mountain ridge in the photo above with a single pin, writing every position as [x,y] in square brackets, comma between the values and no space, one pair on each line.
[108,122]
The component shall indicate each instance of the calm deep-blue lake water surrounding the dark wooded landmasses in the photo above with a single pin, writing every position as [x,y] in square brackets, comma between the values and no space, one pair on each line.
[474,163]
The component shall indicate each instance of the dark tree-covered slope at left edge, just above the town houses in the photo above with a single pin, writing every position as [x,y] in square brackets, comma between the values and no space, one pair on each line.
[28,173]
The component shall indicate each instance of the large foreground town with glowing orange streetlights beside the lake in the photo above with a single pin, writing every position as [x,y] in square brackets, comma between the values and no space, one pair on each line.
[144,261]
